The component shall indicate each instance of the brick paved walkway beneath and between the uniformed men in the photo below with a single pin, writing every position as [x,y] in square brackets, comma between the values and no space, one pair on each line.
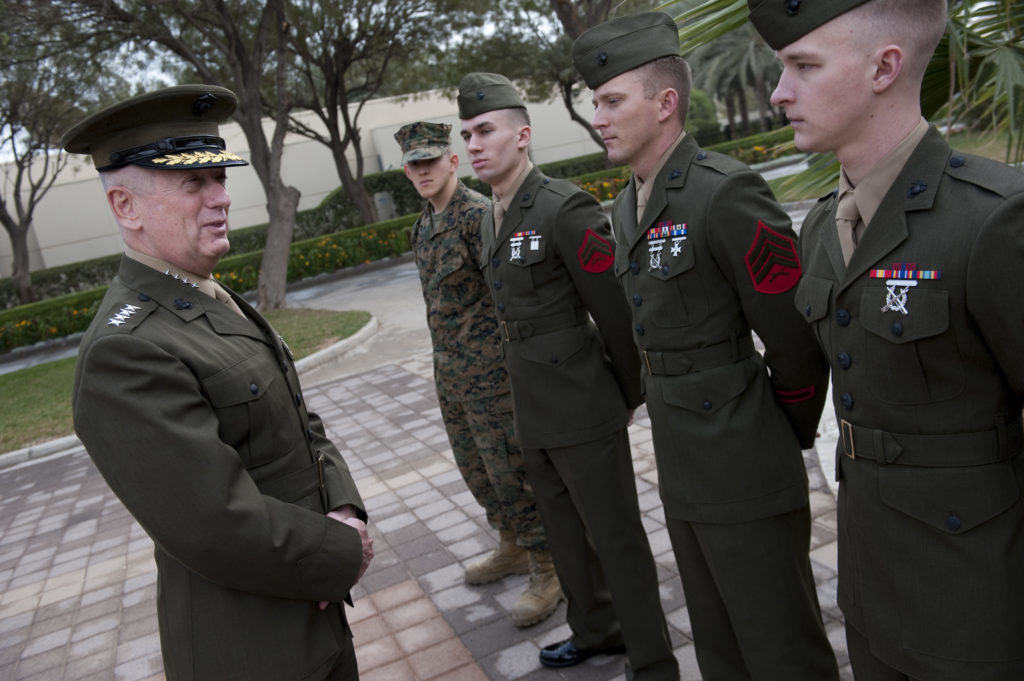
[79,582]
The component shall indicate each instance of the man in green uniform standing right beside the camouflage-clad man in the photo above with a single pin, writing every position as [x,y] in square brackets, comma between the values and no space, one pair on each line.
[547,258]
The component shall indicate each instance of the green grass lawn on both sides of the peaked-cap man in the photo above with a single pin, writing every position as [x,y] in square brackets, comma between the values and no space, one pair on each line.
[35,403]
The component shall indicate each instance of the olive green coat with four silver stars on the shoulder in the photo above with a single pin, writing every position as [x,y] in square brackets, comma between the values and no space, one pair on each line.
[194,416]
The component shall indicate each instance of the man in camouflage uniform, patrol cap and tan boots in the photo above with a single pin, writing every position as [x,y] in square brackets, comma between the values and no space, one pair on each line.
[472,381]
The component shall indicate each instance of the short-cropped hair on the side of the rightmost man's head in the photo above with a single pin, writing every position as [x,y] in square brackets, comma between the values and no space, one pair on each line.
[917,26]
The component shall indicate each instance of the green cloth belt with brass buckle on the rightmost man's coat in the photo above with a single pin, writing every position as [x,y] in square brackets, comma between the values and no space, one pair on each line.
[976,449]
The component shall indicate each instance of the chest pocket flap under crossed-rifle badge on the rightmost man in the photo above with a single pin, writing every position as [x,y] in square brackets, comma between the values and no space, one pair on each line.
[928,315]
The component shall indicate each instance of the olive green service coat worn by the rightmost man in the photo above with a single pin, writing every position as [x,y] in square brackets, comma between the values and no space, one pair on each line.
[925,330]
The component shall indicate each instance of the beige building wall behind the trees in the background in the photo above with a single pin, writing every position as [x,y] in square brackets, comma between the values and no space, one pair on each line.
[74,224]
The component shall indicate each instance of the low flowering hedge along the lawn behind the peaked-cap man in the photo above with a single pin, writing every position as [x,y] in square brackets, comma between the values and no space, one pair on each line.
[67,315]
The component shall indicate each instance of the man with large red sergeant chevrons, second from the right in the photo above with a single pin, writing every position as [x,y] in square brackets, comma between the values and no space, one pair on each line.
[705,256]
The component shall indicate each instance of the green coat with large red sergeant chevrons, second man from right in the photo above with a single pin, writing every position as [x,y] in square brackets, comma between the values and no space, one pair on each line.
[713,258]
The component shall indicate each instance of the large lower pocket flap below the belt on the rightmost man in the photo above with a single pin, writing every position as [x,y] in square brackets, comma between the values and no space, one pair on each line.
[951,500]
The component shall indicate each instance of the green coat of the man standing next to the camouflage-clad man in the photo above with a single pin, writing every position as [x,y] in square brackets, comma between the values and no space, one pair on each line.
[564,323]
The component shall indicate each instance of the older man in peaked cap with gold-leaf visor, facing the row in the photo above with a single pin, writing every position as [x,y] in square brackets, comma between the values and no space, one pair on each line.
[190,406]
